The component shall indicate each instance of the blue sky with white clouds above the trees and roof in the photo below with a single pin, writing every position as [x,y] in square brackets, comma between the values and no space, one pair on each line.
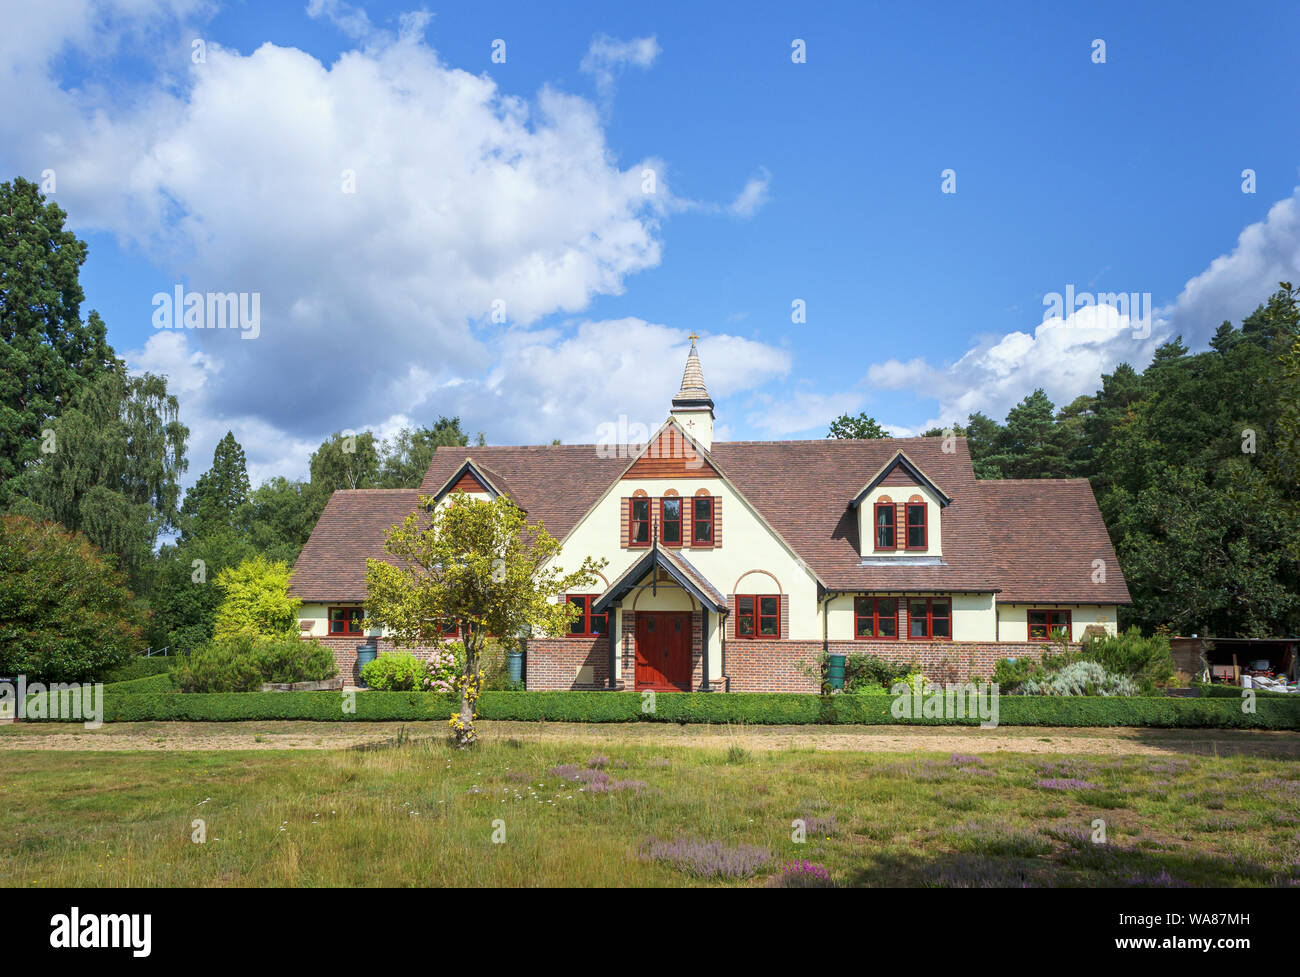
[518,214]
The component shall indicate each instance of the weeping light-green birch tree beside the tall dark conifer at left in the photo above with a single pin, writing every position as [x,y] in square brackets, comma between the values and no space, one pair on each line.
[118,453]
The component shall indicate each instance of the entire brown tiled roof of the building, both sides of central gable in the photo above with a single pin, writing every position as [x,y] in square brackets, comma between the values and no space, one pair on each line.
[1032,541]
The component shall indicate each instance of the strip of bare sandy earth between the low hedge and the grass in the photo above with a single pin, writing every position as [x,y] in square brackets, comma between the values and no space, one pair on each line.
[136,737]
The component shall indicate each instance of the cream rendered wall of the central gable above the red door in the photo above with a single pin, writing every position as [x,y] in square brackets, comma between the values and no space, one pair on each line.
[748,545]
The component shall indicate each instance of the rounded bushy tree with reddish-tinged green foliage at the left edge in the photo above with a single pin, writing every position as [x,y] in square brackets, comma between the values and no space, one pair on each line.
[66,614]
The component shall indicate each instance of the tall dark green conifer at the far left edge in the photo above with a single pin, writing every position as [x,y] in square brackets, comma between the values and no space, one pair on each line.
[46,351]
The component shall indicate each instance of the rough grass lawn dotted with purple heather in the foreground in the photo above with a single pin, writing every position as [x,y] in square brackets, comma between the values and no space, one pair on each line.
[413,813]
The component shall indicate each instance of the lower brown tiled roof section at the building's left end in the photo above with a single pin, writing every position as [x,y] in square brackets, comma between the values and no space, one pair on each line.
[332,566]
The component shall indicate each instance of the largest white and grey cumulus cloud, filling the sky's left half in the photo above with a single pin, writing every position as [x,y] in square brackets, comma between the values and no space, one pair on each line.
[405,224]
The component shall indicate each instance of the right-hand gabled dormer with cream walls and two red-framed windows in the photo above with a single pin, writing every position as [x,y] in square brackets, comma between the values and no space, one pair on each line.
[900,515]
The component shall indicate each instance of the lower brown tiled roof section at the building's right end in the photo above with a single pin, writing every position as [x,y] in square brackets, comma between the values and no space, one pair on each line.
[1046,535]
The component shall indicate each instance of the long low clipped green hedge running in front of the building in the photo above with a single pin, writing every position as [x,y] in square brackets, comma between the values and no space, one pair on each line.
[756,709]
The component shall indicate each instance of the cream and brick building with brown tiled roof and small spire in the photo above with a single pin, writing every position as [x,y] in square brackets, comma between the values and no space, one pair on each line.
[746,562]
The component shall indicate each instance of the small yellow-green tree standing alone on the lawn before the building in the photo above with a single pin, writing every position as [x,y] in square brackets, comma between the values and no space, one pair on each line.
[480,566]
